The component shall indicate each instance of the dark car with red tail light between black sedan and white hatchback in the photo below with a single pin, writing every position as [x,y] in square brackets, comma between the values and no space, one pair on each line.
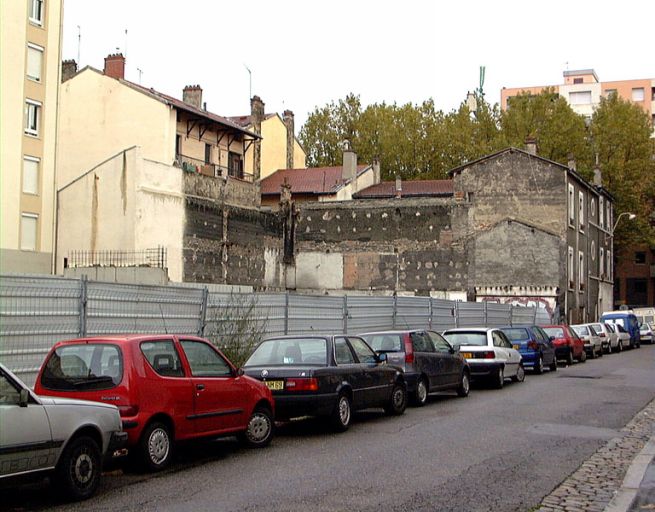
[428,361]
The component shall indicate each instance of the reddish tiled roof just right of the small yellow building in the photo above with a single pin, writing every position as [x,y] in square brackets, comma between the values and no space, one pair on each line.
[318,180]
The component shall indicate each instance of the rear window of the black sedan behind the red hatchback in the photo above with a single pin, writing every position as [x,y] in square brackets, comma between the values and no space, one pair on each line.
[290,351]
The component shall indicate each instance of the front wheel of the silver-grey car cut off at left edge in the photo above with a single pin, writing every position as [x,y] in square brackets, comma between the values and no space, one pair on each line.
[78,472]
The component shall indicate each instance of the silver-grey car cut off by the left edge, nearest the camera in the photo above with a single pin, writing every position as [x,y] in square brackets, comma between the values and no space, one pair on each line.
[67,440]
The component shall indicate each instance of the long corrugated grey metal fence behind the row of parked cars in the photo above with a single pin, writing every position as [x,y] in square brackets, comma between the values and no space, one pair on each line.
[36,312]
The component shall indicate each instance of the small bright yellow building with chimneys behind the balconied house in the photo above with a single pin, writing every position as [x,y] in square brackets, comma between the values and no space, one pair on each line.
[279,148]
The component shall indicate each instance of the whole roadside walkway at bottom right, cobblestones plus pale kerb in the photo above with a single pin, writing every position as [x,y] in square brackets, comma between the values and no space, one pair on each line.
[619,477]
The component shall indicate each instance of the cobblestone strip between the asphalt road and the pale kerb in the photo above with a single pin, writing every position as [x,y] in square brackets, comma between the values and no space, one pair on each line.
[596,481]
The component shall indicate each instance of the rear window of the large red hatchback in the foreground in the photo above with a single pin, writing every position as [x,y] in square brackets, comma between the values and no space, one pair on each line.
[83,367]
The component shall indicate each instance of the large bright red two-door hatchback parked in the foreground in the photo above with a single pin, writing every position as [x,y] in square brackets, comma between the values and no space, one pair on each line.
[167,388]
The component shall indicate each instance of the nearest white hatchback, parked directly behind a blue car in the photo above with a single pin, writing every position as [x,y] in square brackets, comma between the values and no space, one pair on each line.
[489,353]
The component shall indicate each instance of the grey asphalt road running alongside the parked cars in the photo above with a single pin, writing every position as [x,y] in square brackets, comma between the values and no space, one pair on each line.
[495,450]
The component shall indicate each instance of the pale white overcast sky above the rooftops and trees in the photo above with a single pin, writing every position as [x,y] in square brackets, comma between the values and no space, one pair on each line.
[304,54]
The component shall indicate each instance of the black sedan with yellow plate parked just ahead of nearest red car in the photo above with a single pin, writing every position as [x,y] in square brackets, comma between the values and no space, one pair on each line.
[329,376]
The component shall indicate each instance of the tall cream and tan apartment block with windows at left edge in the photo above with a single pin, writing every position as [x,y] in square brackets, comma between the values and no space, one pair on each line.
[30,40]
